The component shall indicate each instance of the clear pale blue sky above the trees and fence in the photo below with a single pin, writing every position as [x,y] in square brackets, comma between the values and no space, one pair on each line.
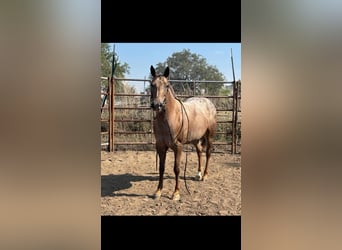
[140,56]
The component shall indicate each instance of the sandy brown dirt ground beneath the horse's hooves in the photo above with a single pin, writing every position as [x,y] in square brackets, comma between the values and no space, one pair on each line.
[129,180]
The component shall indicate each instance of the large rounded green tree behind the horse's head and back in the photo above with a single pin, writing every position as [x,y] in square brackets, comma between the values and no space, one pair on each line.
[188,66]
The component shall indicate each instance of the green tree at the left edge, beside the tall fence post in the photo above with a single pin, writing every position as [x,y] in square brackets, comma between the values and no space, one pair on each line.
[106,65]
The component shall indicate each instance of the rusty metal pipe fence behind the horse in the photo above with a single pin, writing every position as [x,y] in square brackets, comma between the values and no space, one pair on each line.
[126,118]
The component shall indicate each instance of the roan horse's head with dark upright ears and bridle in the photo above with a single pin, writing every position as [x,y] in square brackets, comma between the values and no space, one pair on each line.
[159,86]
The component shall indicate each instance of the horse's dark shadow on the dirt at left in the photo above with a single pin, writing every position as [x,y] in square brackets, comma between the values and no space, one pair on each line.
[111,183]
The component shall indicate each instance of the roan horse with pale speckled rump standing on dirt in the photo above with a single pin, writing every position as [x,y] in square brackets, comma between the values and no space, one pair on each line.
[177,123]
